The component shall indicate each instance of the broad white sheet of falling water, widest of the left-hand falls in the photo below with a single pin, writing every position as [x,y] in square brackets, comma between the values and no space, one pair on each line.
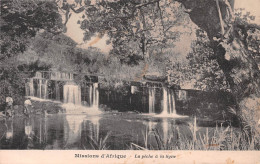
[72,94]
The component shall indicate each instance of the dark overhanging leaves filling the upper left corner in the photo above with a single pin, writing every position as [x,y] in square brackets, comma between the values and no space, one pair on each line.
[21,20]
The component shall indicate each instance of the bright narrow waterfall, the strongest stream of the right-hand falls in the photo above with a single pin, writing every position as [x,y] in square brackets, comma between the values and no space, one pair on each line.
[168,102]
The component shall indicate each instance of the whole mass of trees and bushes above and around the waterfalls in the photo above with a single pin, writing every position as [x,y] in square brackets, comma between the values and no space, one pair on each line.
[143,34]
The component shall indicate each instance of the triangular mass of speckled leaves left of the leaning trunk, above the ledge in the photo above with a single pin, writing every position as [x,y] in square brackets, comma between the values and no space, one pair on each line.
[201,70]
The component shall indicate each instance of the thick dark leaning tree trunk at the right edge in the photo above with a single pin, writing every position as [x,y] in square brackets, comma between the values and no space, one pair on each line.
[240,69]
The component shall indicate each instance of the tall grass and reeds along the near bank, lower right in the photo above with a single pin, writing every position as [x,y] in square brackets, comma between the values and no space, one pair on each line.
[223,138]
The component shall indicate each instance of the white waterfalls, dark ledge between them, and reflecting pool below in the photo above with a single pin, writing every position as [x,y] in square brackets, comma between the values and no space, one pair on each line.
[92,113]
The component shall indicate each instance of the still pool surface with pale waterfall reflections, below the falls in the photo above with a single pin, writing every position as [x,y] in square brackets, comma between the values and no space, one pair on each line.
[86,131]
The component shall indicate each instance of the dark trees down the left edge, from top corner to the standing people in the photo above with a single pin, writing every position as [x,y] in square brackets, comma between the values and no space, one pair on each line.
[20,21]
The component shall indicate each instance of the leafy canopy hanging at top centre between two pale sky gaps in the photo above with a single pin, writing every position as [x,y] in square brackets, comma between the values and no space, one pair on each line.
[133,27]
